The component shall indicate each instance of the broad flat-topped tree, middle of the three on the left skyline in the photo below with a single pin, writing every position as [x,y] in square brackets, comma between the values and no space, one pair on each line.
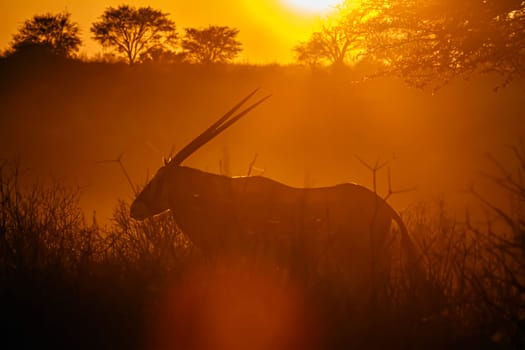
[134,31]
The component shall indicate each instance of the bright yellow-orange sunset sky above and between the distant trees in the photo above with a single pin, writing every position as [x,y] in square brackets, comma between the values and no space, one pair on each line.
[269,29]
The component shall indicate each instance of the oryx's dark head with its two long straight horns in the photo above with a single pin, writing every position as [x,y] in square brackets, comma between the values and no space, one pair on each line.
[154,198]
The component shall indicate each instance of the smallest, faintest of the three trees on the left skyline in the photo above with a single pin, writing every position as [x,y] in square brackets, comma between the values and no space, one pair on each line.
[213,44]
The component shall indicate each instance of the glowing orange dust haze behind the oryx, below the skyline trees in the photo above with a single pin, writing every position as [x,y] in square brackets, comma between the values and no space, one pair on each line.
[66,120]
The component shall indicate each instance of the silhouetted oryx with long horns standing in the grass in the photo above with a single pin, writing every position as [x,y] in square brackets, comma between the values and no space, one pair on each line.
[218,212]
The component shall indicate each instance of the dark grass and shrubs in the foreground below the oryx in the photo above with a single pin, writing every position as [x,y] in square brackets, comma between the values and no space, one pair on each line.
[68,283]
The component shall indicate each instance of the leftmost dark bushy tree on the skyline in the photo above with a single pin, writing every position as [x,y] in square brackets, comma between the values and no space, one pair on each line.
[54,33]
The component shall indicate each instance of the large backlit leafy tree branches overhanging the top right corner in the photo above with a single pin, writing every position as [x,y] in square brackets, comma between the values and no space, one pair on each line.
[430,42]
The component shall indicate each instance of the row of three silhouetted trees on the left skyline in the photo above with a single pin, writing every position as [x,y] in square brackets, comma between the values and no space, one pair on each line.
[134,35]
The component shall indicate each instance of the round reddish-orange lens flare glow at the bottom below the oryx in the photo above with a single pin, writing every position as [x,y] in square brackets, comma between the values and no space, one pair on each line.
[233,306]
